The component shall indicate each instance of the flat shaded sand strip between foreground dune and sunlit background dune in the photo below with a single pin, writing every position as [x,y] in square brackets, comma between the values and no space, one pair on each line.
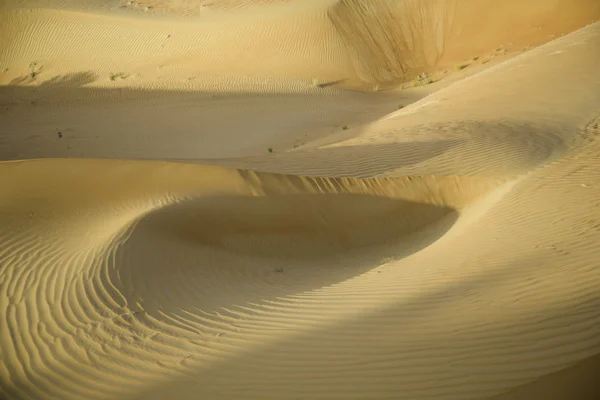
[168,124]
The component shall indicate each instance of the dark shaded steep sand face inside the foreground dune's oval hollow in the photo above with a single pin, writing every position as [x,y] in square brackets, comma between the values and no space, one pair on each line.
[290,226]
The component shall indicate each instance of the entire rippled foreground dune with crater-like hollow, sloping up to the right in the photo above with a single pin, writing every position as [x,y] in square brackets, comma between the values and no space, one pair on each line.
[466,269]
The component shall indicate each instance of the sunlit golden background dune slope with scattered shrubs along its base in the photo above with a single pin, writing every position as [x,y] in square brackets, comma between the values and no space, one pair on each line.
[356,44]
